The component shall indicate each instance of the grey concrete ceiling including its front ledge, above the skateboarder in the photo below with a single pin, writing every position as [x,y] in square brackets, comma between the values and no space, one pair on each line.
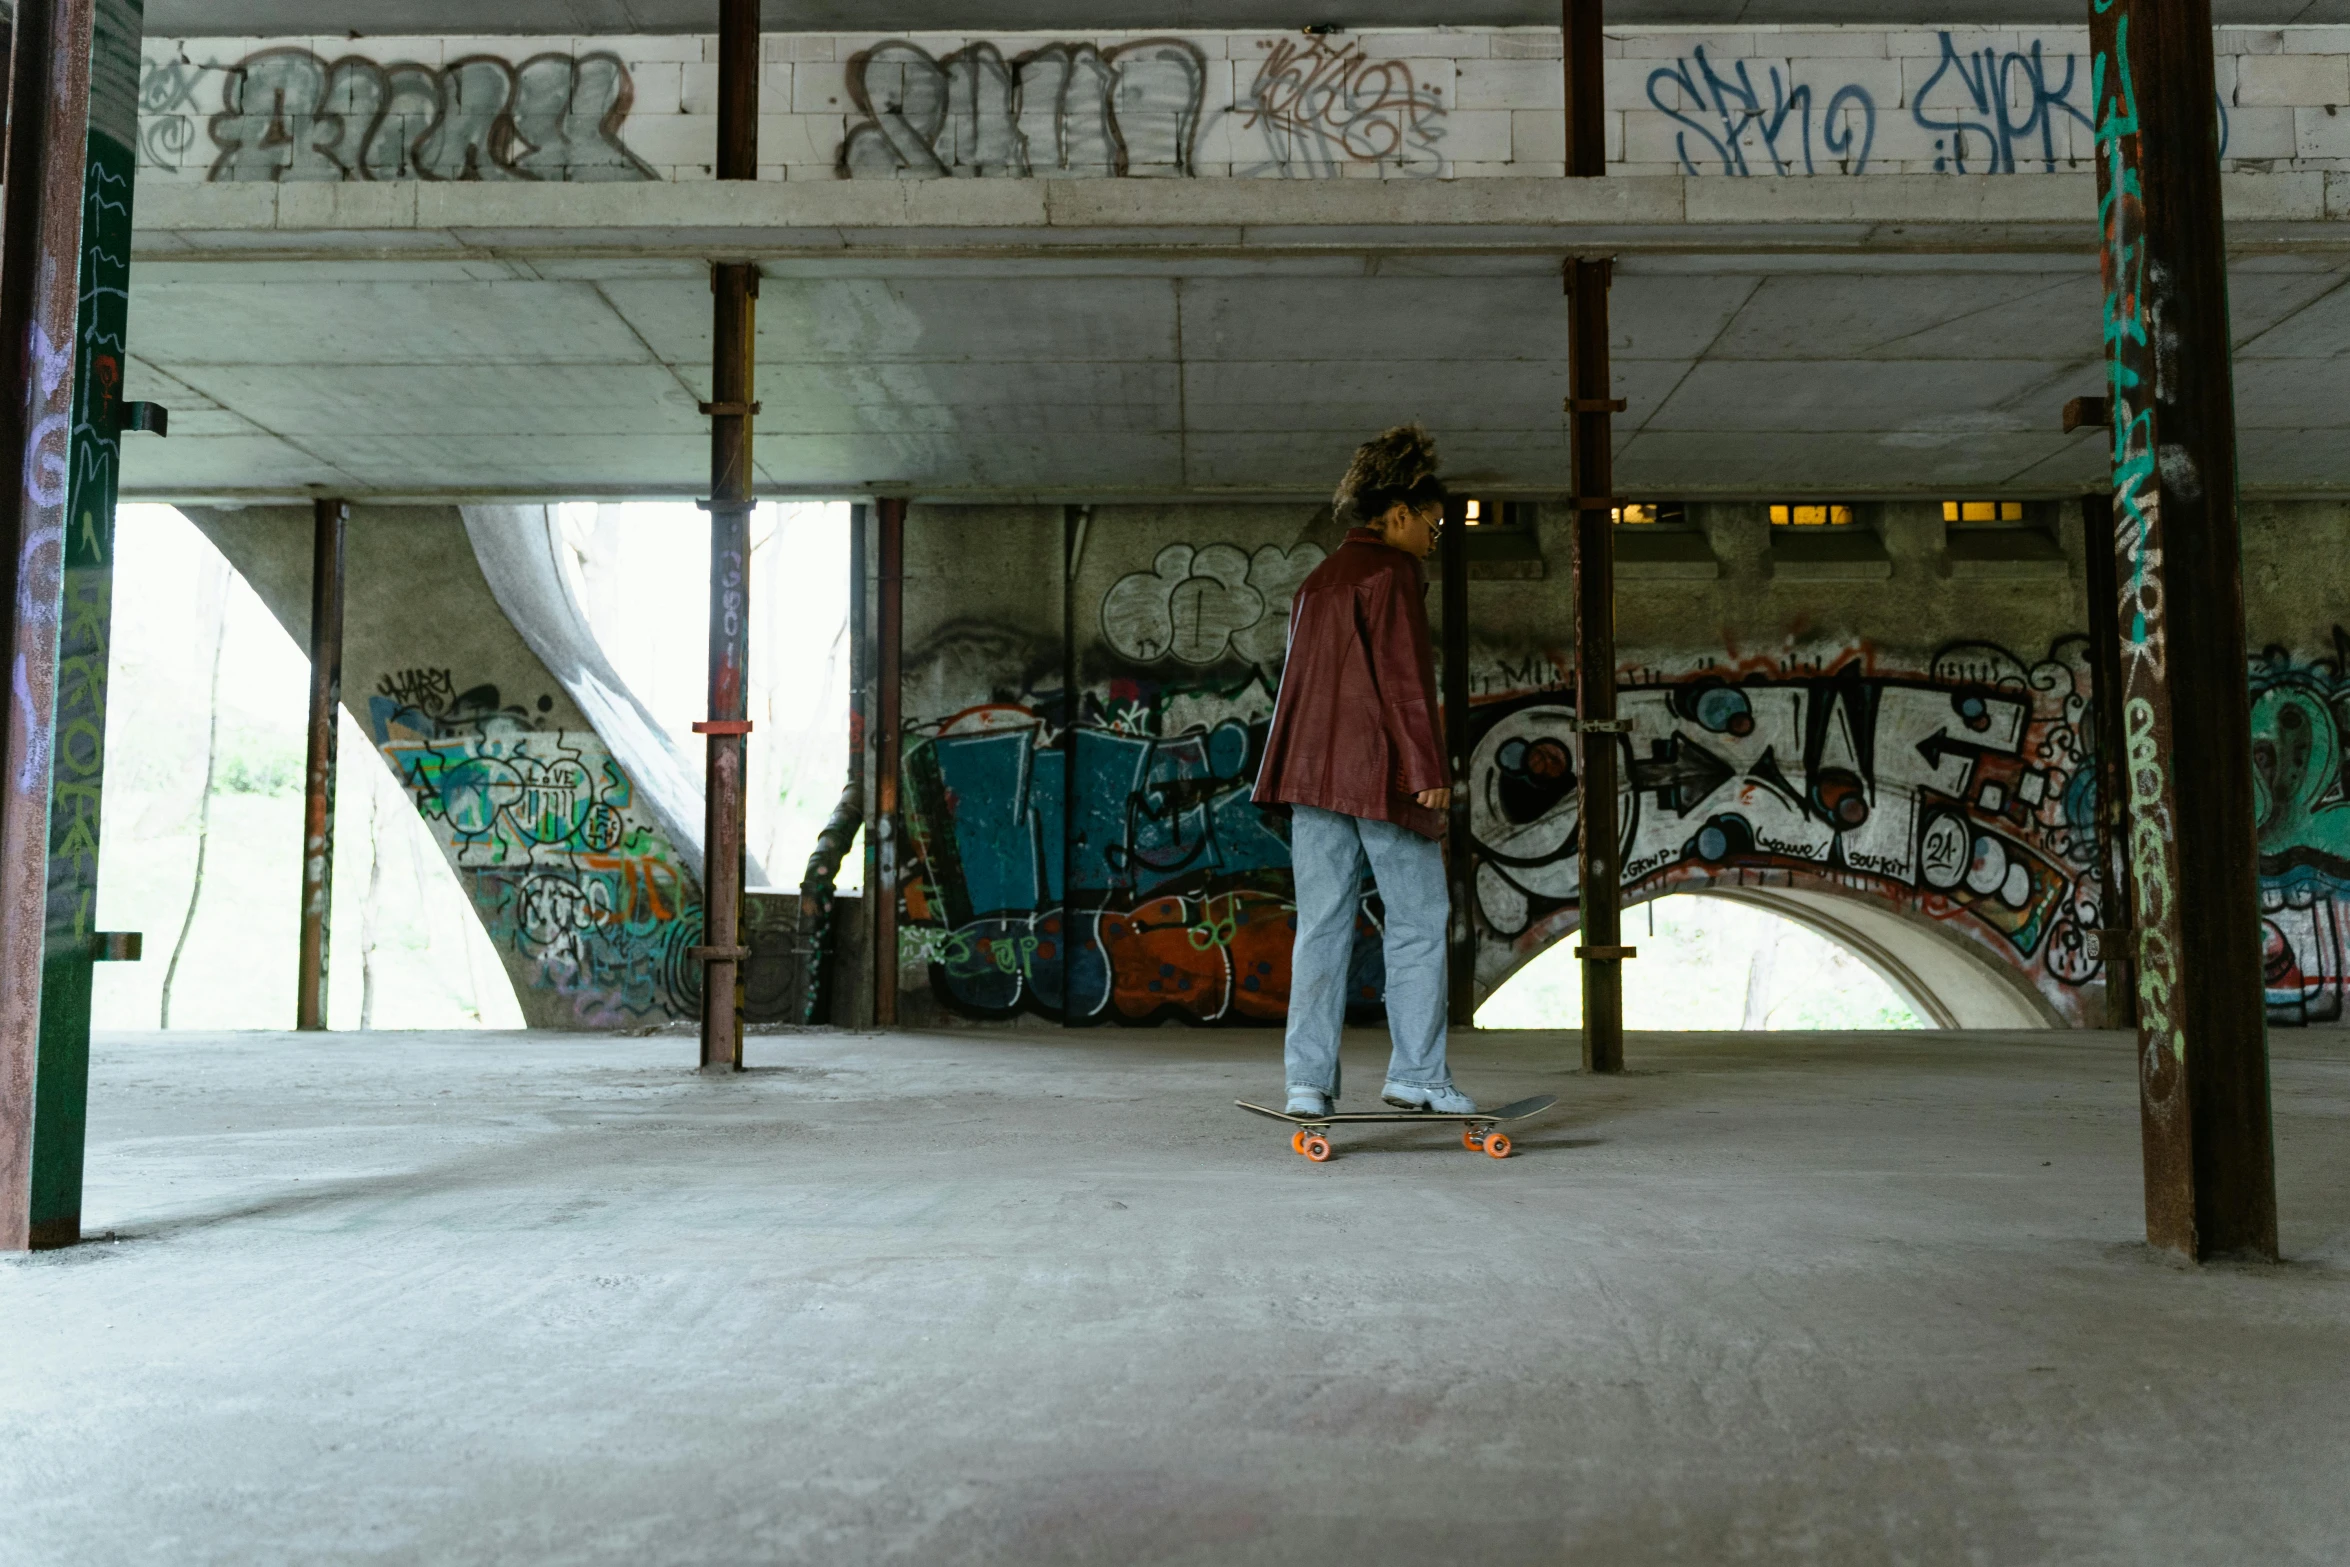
[1160,339]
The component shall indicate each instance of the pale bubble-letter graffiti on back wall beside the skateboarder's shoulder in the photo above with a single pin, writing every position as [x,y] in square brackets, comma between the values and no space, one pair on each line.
[1207,605]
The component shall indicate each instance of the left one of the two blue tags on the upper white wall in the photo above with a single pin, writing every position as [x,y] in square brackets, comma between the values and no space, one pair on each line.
[1778,133]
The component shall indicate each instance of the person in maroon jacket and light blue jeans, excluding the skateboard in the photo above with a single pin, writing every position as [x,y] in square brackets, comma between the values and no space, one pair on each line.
[1357,762]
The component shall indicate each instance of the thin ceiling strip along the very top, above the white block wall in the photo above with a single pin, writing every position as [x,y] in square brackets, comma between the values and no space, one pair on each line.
[427,18]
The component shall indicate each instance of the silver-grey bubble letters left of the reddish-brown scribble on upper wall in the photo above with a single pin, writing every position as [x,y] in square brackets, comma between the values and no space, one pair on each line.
[1068,112]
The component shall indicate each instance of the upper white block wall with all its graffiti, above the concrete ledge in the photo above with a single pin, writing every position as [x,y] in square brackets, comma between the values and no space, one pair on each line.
[1406,105]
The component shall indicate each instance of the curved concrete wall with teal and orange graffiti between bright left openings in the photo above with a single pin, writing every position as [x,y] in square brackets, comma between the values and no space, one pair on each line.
[586,882]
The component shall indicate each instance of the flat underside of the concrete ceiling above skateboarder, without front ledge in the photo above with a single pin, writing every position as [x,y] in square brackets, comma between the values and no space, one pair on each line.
[1077,379]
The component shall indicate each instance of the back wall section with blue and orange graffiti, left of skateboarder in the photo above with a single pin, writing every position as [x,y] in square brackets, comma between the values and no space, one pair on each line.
[1099,859]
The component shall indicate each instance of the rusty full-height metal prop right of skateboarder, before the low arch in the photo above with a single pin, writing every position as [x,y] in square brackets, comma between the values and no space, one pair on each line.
[1592,436]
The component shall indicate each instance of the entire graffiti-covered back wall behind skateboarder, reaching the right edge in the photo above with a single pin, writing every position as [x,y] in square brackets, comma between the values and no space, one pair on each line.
[1099,859]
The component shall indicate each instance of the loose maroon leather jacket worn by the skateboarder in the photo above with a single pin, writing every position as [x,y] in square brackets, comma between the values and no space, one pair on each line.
[1355,725]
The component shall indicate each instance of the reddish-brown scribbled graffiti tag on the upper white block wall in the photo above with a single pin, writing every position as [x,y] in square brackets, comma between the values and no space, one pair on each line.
[1322,109]
